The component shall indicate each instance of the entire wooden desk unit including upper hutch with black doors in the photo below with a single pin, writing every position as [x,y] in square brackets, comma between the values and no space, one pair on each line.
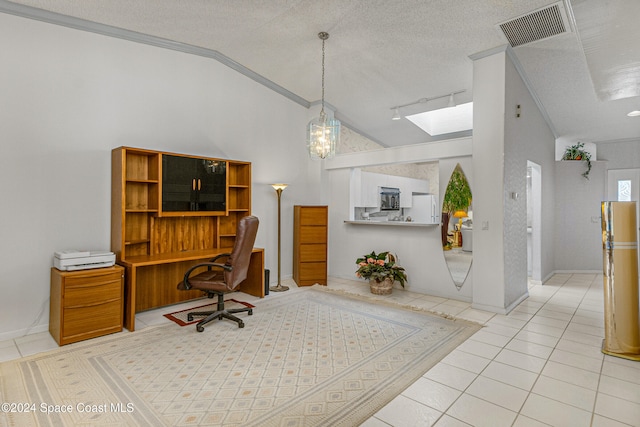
[170,211]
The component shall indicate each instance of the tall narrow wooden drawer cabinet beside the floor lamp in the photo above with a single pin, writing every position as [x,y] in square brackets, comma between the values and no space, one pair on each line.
[310,227]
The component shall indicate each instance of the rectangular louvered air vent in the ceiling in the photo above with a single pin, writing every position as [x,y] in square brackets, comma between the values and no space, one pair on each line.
[540,24]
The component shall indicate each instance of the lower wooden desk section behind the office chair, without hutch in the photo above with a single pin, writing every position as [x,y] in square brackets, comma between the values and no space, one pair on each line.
[151,280]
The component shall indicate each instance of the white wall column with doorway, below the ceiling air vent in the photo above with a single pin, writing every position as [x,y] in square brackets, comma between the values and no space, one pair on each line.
[503,143]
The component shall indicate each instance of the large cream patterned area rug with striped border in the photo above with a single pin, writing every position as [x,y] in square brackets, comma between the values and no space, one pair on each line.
[310,358]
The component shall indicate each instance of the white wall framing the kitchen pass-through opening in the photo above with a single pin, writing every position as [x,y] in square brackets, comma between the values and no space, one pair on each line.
[419,248]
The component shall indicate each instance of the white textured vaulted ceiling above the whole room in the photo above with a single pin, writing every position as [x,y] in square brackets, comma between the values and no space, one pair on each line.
[386,53]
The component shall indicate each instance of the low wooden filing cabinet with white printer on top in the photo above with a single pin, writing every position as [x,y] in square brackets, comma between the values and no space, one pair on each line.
[86,304]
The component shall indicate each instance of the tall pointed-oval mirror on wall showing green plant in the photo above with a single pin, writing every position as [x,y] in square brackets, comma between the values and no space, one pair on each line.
[457,226]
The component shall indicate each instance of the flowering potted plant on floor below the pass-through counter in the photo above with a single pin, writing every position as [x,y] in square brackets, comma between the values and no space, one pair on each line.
[382,271]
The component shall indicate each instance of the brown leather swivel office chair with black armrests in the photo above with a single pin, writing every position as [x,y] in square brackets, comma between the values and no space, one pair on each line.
[219,279]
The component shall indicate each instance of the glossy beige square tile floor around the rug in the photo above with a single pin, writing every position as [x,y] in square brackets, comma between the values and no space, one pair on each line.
[540,365]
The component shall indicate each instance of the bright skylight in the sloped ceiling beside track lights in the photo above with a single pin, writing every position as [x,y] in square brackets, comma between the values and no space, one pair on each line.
[445,120]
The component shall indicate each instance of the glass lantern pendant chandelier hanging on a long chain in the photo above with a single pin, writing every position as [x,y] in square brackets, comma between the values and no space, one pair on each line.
[323,133]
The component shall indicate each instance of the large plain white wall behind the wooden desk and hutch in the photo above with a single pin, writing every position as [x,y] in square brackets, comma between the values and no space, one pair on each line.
[69,97]
